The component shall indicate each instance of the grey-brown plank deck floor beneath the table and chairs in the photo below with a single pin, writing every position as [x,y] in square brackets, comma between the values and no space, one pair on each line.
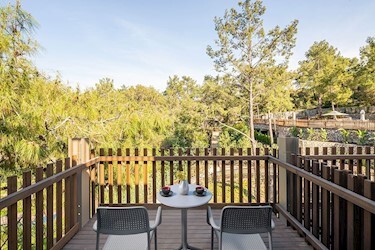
[169,233]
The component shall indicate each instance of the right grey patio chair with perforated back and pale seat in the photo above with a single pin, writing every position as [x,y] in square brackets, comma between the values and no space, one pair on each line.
[240,227]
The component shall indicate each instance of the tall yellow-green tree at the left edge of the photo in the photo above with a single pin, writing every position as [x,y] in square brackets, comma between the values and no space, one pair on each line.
[19,126]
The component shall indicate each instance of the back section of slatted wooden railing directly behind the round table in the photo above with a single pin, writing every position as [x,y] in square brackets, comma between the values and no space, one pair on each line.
[131,178]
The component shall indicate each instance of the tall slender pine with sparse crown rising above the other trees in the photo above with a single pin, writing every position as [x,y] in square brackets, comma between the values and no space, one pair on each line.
[245,50]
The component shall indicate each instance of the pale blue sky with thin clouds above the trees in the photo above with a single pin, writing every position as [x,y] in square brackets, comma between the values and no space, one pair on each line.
[145,42]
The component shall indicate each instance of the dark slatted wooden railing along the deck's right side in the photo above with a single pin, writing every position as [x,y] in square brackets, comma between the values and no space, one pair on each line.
[330,207]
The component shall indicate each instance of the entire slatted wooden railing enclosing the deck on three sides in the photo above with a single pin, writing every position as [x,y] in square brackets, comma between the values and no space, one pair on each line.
[330,207]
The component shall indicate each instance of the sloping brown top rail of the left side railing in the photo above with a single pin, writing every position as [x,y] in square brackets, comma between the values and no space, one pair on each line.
[36,187]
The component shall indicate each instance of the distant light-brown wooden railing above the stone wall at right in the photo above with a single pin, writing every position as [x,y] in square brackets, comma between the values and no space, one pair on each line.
[333,124]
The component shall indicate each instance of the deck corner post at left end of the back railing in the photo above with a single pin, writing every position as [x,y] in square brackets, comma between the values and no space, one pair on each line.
[80,148]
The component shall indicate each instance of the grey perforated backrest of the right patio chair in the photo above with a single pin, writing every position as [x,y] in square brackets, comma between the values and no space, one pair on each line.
[246,219]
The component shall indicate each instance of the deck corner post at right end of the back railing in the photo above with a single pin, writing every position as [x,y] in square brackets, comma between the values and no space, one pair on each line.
[287,147]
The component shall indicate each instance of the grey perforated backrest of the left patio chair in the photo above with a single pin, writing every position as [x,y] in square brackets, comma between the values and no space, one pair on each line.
[122,220]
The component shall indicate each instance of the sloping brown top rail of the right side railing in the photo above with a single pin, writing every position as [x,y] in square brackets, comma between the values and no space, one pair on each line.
[344,193]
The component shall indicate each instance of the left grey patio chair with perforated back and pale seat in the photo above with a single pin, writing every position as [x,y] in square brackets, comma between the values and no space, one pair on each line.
[127,227]
